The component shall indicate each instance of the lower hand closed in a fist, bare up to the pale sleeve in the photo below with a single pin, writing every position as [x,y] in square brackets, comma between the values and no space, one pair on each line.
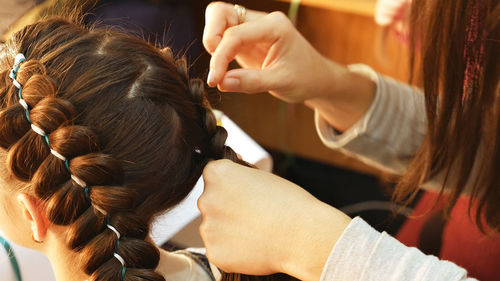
[257,223]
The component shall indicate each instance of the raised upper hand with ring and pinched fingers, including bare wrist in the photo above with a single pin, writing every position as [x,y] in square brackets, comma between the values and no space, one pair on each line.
[275,57]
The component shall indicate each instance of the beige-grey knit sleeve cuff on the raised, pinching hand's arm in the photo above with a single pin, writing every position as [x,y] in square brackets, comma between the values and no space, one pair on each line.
[391,130]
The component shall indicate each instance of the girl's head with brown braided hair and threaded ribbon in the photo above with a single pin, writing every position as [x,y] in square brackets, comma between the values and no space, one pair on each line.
[114,133]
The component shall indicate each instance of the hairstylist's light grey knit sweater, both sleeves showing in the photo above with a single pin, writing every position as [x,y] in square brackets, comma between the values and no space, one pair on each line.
[386,137]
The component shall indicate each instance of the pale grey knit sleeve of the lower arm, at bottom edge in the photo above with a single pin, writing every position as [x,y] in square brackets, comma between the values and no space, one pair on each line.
[364,254]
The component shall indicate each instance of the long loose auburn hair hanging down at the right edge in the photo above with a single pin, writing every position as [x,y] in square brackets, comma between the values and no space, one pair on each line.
[462,146]
